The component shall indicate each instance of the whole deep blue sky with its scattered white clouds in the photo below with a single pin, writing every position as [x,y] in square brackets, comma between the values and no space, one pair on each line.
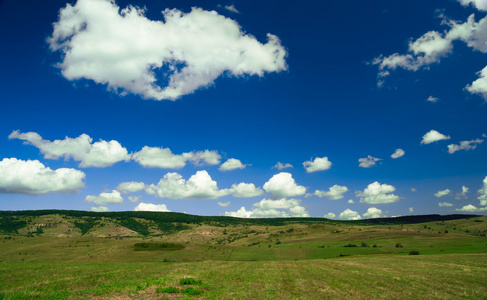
[342,109]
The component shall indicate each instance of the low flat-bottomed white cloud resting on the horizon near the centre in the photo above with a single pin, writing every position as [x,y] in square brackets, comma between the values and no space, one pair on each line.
[266,208]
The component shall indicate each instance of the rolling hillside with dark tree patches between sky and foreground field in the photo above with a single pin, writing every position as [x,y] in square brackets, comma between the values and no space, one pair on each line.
[42,236]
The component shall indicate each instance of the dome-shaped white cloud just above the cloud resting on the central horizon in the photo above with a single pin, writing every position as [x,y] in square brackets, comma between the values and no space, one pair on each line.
[283,185]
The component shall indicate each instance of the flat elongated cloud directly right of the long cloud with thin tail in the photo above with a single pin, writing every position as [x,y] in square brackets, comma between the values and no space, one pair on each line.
[155,157]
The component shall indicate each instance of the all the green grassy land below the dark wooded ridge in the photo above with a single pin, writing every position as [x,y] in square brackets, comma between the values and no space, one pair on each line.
[206,260]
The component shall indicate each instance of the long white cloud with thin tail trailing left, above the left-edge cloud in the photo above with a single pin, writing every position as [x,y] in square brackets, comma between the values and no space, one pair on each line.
[98,154]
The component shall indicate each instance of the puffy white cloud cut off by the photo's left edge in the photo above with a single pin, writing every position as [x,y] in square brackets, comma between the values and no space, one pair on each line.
[33,178]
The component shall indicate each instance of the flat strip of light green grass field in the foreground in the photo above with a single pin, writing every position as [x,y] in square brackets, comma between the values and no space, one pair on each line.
[452,276]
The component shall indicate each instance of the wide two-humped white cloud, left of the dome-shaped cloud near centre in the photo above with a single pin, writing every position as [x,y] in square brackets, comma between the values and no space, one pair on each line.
[198,186]
